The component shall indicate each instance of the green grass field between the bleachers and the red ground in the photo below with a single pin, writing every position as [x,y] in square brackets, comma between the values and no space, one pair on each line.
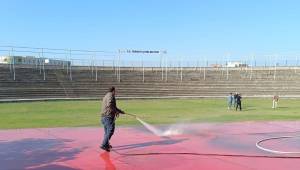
[86,113]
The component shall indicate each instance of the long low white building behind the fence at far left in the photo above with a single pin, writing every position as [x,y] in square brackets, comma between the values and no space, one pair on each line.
[31,60]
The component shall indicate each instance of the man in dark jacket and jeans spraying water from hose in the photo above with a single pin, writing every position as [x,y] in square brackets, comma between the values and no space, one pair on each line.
[109,113]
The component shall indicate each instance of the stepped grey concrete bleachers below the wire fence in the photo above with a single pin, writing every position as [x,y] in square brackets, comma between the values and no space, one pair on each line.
[29,83]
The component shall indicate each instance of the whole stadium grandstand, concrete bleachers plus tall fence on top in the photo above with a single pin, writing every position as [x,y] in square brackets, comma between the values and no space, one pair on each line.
[28,73]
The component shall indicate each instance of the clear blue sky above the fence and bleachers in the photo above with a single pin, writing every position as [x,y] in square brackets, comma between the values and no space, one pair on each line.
[185,28]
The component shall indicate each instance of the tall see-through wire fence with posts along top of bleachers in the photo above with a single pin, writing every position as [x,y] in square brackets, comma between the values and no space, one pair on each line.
[96,60]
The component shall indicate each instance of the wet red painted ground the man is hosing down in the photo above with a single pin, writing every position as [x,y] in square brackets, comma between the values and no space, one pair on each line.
[202,146]
